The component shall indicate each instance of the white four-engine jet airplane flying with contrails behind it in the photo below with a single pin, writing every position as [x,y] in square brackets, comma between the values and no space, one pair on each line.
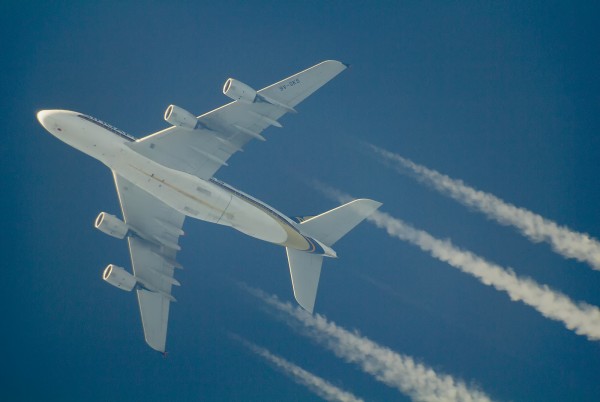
[167,176]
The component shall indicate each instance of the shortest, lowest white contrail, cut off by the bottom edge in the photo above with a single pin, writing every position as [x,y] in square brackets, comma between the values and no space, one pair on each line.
[319,386]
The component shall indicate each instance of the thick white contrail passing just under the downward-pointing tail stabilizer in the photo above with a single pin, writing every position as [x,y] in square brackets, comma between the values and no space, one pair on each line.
[419,382]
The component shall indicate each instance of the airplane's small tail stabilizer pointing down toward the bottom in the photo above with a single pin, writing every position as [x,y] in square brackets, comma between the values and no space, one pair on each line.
[305,270]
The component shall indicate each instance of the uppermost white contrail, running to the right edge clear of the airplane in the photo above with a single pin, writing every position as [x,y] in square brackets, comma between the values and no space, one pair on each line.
[568,243]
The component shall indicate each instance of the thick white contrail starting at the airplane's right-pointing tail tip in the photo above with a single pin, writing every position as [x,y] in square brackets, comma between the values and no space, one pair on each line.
[580,317]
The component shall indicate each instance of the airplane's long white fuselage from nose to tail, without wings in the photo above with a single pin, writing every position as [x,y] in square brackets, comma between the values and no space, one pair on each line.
[208,200]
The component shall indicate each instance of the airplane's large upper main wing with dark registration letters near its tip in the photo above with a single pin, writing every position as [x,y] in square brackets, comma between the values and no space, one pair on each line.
[224,131]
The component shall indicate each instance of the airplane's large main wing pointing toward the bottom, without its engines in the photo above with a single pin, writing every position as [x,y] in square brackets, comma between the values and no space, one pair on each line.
[153,253]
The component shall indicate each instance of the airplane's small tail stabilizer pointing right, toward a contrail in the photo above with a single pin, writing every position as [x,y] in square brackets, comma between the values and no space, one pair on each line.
[332,225]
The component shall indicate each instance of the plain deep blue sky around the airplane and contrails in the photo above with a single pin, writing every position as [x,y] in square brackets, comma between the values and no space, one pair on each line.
[503,95]
